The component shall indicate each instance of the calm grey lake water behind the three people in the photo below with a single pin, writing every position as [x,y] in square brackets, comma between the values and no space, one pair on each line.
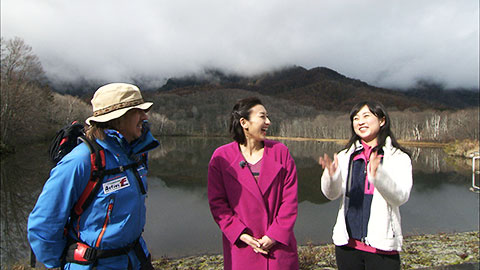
[179,222]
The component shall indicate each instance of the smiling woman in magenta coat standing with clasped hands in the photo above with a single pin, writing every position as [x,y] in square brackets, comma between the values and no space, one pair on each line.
[252,192]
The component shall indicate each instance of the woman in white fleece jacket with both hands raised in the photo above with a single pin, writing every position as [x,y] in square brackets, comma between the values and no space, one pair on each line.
[373,176]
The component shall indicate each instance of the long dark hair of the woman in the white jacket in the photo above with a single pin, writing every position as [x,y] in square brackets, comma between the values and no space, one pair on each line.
[379,111]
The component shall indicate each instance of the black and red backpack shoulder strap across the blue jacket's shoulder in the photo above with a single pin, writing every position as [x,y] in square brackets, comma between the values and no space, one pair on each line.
[98,162]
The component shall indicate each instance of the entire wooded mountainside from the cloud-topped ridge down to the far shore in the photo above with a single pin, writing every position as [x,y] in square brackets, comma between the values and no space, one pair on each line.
[303,103]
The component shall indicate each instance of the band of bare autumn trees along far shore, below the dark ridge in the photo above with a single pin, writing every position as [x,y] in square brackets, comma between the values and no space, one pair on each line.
[199,114]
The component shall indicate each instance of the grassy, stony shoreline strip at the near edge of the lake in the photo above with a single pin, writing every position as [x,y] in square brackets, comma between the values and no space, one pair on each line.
[425,251]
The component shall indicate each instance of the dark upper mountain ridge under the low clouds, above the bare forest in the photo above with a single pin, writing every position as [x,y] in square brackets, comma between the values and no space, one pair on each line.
[325,89]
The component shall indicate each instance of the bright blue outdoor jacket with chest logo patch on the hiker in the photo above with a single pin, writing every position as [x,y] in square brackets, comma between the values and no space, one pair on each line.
[116,217]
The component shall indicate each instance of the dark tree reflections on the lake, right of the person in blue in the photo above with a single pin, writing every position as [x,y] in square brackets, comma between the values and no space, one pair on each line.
[183,162]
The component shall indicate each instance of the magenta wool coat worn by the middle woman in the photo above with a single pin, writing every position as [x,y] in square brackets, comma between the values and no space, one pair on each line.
[269,208]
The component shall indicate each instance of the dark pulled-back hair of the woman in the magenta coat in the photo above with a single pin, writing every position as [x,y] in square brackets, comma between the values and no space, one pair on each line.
[241,110]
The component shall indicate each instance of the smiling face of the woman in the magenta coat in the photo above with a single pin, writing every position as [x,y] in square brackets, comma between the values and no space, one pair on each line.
[256,127]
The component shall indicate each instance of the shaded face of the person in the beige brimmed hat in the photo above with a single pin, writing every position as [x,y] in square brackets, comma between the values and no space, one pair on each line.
[130,124]
